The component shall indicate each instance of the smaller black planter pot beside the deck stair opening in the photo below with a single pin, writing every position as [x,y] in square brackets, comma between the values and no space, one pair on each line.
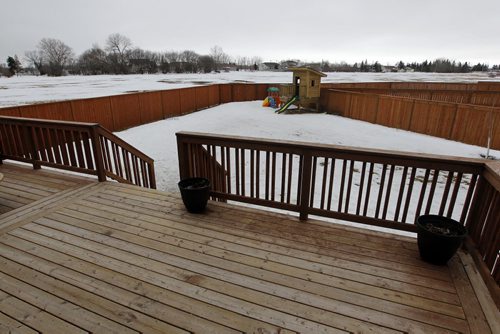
[195,193]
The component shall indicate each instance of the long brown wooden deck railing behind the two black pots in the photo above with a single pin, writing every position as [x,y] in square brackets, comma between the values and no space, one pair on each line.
[381,188]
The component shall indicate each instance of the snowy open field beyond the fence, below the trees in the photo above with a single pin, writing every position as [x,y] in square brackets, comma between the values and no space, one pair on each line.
[36,89]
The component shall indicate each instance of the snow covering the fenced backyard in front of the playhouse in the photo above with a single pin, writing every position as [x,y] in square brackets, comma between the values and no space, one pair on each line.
[252,120]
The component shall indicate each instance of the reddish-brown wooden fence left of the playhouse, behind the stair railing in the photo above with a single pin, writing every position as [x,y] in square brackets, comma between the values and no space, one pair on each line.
[120,112]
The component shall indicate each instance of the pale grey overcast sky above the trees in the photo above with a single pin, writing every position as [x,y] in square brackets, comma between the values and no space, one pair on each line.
[334,30]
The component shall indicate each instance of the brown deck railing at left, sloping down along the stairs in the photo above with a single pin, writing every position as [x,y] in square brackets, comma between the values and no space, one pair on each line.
[79,147]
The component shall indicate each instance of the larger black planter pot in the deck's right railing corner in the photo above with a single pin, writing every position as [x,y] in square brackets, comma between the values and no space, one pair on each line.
[438,238]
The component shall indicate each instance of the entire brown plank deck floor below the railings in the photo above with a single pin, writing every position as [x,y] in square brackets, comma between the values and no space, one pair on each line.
[112,258]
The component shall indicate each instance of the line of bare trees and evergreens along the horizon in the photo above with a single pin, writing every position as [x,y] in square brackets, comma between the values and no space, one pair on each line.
[53,57]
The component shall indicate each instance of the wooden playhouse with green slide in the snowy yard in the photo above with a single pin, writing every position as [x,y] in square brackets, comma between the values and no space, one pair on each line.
[305,90]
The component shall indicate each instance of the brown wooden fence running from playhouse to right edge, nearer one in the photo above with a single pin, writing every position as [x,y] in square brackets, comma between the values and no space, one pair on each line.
[466,123]
